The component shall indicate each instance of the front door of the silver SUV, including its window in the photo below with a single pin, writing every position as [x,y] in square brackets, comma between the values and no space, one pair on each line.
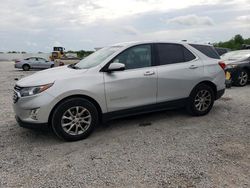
[137,84]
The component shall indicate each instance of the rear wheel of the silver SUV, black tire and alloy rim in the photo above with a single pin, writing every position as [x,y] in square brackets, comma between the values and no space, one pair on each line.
[201,100]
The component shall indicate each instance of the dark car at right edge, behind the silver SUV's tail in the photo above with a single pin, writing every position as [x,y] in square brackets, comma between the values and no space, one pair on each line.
[238,66]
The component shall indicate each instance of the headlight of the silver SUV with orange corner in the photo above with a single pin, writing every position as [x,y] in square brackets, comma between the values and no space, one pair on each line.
[29,91]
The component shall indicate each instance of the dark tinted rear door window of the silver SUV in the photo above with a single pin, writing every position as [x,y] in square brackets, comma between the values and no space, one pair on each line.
[173,53]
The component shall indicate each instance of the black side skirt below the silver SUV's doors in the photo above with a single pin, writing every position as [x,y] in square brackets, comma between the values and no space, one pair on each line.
[145,109]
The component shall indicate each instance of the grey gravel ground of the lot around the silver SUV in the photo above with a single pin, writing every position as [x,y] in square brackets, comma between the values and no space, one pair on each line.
[166,149]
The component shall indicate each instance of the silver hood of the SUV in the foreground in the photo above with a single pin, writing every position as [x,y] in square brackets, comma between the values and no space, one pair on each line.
[50,76]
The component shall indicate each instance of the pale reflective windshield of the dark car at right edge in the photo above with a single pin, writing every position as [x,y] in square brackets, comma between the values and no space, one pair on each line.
[236,55]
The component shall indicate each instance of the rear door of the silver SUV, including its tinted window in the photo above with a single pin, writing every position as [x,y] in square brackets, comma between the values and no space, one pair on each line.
[179,70]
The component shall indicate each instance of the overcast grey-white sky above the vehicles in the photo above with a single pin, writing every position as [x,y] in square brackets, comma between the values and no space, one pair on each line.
[38,25]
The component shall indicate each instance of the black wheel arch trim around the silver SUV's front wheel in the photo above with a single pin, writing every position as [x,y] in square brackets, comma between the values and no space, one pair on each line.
[90,99]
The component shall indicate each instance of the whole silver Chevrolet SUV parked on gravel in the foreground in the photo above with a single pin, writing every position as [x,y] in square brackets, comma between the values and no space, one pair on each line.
[117,81]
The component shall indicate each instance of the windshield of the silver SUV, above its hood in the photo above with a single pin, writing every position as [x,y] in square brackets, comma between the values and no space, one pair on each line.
[97,57]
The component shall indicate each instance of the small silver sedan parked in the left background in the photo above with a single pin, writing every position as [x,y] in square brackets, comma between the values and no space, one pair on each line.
[33,63]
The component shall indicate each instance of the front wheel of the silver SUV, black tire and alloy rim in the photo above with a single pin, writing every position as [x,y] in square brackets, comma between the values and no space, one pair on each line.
[79,126]
